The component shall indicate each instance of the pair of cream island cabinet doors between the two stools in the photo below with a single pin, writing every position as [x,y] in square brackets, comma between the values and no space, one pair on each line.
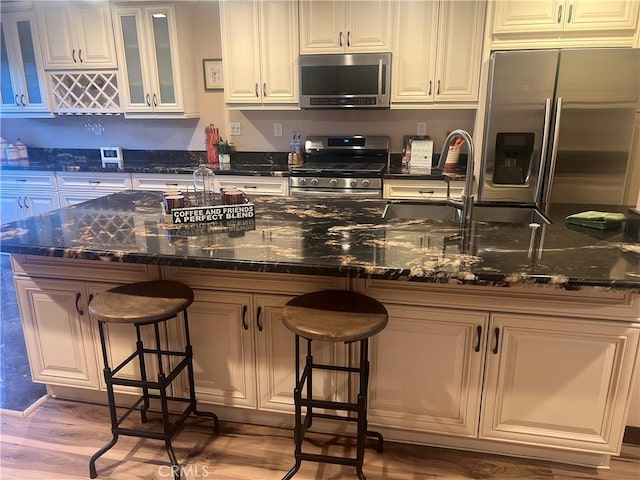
[243,354]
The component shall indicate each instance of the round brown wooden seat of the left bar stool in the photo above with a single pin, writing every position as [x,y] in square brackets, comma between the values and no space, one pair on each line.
[142,302]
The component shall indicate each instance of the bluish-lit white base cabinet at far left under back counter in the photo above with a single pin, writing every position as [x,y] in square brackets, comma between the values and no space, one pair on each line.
[26,193]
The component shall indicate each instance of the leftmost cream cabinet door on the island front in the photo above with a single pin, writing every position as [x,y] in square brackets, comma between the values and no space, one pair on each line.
[58,332]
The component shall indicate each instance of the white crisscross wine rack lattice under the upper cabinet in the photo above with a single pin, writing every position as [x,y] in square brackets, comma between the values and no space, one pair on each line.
[86,92]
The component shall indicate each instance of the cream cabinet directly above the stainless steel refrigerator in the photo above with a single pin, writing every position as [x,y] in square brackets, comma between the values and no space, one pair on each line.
[543,24]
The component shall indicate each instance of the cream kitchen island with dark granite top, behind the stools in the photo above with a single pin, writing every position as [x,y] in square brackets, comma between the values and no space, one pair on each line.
[510,338]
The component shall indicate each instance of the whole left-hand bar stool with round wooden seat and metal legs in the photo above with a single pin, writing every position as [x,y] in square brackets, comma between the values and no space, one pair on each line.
[147,303]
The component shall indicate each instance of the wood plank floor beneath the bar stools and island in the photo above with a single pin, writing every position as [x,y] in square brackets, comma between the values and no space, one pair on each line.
[56,441]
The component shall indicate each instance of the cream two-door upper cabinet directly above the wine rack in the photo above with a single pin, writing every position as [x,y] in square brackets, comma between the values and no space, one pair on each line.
[76,35]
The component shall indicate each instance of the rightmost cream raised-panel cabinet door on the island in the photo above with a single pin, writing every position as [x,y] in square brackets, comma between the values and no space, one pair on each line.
[557,382]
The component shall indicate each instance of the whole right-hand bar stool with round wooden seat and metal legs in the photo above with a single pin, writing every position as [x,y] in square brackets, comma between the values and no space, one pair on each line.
[334,316]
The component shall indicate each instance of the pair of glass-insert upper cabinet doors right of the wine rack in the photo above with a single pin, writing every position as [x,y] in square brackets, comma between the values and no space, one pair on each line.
[147,44]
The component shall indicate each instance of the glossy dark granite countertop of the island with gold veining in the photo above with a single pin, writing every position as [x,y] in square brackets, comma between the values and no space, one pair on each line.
[338,237]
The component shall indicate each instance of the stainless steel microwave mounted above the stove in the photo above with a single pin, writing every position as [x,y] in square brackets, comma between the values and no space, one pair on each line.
[359,80]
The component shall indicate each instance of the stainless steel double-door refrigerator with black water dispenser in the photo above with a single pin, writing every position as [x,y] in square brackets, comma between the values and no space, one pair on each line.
[558,126]
